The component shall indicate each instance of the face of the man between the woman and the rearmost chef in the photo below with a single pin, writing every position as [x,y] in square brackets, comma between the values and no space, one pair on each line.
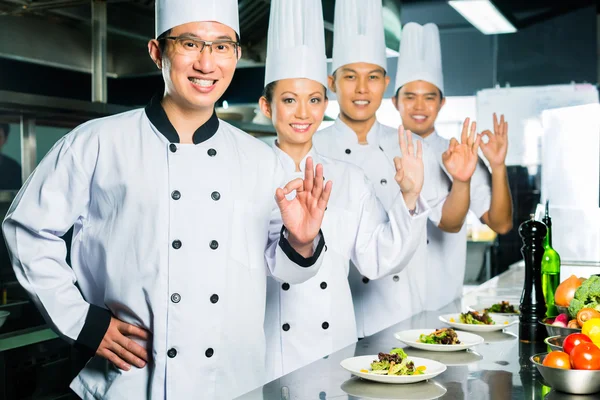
[359,88]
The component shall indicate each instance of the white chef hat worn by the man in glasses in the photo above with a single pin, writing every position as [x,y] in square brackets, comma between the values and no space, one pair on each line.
[172,13]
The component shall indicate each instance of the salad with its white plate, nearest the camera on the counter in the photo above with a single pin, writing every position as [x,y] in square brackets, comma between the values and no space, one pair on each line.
[393,367]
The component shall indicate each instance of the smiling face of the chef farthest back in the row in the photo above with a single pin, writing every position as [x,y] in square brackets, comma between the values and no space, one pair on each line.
[419,103]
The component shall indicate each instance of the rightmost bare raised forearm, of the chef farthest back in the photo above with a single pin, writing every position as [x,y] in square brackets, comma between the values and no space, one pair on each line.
[499,217]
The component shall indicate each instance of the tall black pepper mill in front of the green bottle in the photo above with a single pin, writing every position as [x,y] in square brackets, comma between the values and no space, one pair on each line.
[533,304]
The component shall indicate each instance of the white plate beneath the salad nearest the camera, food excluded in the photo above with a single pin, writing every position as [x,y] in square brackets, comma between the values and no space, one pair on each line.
[355,364]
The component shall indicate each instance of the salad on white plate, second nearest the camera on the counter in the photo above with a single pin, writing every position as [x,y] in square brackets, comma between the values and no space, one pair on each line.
[441,340]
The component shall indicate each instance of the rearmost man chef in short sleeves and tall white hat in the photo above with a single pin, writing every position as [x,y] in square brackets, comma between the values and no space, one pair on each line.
[419,89]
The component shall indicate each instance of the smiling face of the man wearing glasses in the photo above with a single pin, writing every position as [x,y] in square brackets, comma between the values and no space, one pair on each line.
[195,80]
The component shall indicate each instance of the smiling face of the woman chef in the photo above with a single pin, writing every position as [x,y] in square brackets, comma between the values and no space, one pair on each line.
[296,108]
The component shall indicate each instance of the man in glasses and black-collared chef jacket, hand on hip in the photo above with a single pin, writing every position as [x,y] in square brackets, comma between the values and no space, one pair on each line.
[171,208]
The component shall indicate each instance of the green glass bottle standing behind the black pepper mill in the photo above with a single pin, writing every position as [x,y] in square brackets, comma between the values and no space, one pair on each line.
[550,268]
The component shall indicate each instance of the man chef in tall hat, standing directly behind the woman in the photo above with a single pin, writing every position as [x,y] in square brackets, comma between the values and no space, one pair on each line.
[359,80]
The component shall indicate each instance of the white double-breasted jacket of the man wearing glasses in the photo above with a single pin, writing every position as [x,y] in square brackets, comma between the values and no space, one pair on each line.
[115,180]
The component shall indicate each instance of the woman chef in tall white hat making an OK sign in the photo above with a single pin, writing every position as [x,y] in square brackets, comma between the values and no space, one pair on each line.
[316,318]
